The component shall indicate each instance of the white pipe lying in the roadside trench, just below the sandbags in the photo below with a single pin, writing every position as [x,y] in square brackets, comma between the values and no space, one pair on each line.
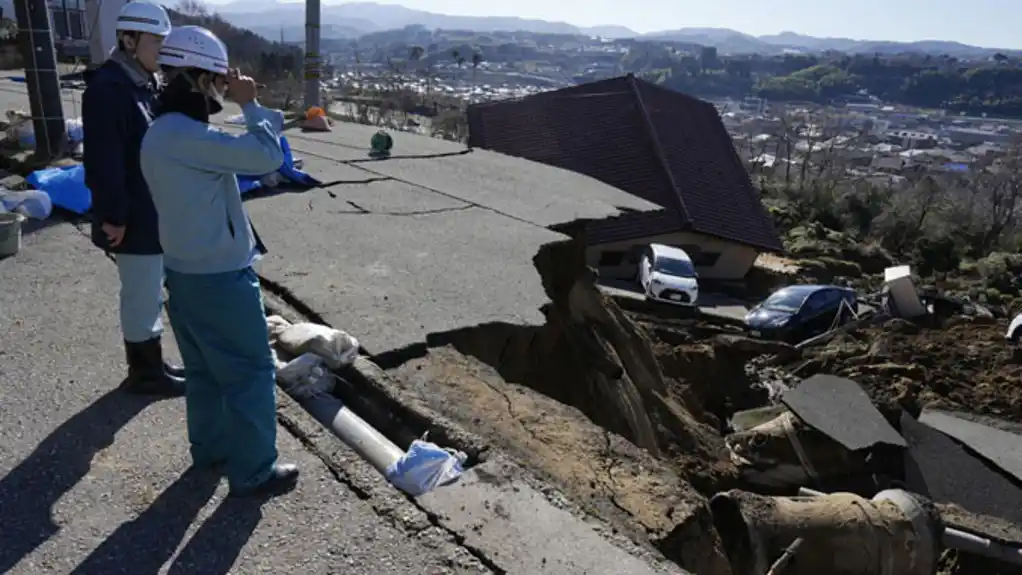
[353,430]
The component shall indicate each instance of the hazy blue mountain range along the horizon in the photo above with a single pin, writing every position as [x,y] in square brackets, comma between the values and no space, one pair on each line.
[275,21]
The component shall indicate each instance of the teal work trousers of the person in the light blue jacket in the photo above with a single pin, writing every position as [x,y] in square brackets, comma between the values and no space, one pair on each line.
[230,389]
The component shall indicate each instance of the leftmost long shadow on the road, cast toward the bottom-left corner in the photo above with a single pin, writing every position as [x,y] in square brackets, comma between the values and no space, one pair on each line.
[29,493]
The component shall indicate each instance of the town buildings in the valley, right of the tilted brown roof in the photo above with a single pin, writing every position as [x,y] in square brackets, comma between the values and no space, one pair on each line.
[884,145]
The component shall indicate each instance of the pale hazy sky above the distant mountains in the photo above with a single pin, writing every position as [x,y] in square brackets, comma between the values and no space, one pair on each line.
[983,23]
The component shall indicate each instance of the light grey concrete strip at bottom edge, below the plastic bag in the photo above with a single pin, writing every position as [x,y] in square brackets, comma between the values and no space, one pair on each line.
[524,533]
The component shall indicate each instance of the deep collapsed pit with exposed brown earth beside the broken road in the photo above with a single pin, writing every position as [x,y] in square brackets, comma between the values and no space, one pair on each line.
[668,396]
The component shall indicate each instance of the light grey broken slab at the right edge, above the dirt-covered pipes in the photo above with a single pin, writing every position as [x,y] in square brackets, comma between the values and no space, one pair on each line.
[1001,447]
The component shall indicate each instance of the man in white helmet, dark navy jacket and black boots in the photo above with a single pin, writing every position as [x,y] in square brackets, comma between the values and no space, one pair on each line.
[118,108]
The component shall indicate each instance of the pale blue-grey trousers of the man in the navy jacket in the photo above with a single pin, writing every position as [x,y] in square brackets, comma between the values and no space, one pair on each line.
[142,297]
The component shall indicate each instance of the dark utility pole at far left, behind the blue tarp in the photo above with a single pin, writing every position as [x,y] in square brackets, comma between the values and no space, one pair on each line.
[36,42]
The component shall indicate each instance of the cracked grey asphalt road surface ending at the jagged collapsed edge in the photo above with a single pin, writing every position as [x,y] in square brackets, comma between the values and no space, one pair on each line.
[437,245]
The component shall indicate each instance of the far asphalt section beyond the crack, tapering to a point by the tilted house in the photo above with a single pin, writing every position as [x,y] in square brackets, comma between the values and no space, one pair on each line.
[534,193]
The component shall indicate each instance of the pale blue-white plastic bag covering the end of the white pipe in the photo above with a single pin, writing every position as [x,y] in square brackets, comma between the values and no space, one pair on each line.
[426,467]
